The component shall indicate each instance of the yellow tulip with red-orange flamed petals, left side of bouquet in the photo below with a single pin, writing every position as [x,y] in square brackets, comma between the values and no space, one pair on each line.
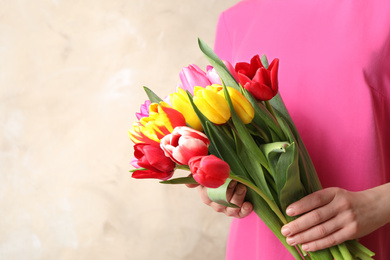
[161,121]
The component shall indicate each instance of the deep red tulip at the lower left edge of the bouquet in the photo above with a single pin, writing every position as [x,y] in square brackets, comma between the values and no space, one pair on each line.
[152,158]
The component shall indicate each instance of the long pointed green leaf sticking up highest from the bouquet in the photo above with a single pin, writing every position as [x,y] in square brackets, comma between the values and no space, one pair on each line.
[218,65]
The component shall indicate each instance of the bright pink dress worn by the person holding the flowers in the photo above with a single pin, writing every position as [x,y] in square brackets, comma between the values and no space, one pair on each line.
[335,80]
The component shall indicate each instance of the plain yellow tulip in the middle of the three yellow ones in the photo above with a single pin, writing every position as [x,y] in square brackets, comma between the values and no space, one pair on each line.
[212,105]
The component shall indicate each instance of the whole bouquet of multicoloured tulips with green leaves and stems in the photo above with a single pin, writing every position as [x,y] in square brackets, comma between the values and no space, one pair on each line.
[231,124]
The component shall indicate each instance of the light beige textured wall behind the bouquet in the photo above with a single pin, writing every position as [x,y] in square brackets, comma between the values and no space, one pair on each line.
[71,77]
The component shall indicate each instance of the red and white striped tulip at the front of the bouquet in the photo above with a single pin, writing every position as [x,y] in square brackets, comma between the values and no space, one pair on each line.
[184,143]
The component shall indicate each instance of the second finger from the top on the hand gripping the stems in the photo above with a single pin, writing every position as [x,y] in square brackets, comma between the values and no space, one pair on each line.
[309,220]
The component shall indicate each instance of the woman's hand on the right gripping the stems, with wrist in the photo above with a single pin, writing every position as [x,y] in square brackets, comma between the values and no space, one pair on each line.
[332,216]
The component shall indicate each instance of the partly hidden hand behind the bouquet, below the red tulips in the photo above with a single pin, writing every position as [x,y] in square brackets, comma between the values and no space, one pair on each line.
[235,194]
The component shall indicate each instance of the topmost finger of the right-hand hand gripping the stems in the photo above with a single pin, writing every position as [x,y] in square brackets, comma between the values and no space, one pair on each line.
[310,202]
